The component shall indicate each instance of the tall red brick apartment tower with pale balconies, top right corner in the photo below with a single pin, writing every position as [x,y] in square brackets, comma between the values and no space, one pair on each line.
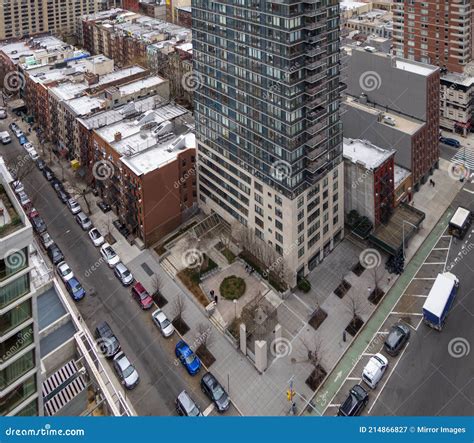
[435,32]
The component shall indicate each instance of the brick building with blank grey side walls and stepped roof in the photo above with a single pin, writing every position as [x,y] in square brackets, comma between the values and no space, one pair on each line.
[394,103]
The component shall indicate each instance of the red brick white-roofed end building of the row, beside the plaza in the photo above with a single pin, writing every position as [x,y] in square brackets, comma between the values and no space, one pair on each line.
[152,186]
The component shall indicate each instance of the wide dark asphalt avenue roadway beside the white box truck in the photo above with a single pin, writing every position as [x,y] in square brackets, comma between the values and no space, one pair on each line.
[436,374]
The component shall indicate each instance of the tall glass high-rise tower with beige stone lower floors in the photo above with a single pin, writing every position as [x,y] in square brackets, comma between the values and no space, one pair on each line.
[268,123]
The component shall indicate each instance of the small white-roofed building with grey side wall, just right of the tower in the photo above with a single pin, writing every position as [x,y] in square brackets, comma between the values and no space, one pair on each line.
[368,180]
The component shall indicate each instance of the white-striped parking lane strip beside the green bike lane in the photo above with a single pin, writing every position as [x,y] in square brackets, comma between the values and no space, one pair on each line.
[408,309]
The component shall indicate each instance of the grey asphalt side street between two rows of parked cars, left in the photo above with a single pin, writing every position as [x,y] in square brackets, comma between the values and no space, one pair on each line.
[106,299]
